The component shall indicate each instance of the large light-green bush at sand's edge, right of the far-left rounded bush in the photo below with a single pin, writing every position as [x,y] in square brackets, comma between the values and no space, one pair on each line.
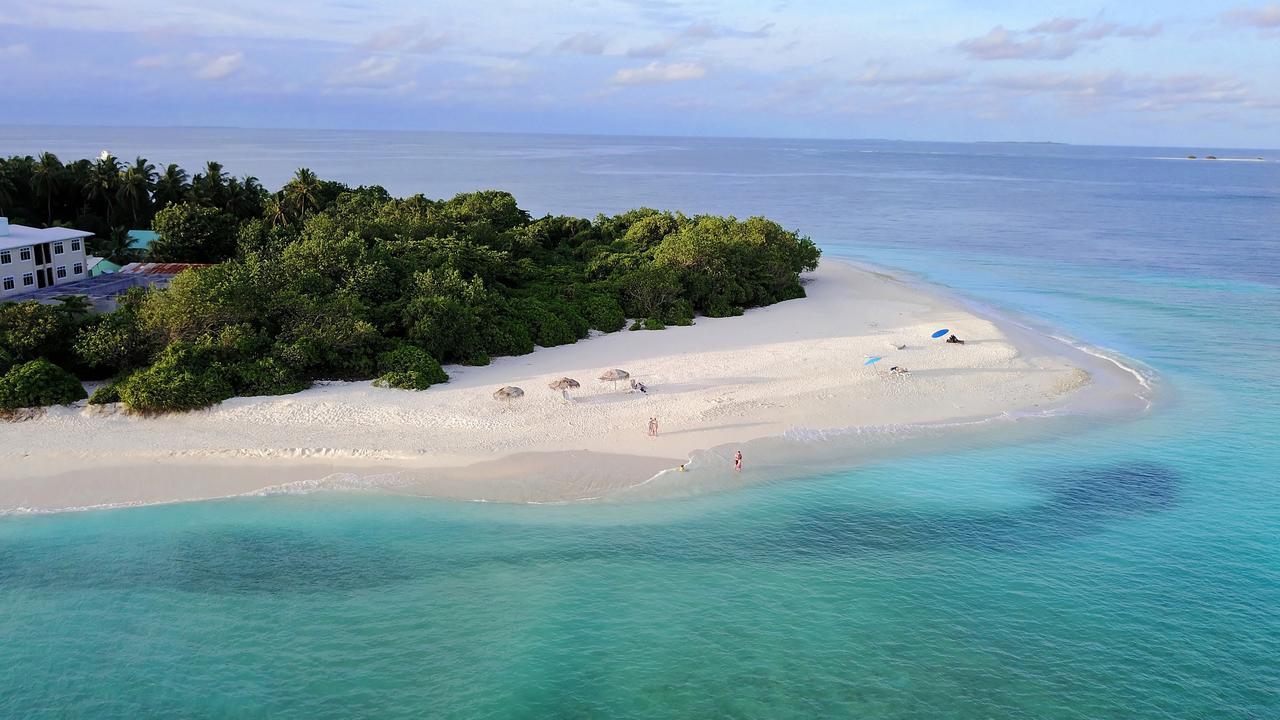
[184,379]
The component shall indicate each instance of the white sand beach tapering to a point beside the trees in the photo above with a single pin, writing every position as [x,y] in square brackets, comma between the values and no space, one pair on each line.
[774,372]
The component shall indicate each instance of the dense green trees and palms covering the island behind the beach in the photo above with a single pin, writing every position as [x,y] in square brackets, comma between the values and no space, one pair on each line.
[322,281]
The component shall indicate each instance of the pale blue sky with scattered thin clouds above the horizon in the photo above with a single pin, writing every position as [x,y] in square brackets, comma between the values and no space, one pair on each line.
[1177,72]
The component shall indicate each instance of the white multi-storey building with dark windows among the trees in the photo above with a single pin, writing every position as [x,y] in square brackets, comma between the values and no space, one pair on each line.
[35,258]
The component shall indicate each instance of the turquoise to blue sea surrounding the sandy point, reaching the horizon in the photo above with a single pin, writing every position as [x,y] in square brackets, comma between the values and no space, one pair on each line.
[1130,571]
